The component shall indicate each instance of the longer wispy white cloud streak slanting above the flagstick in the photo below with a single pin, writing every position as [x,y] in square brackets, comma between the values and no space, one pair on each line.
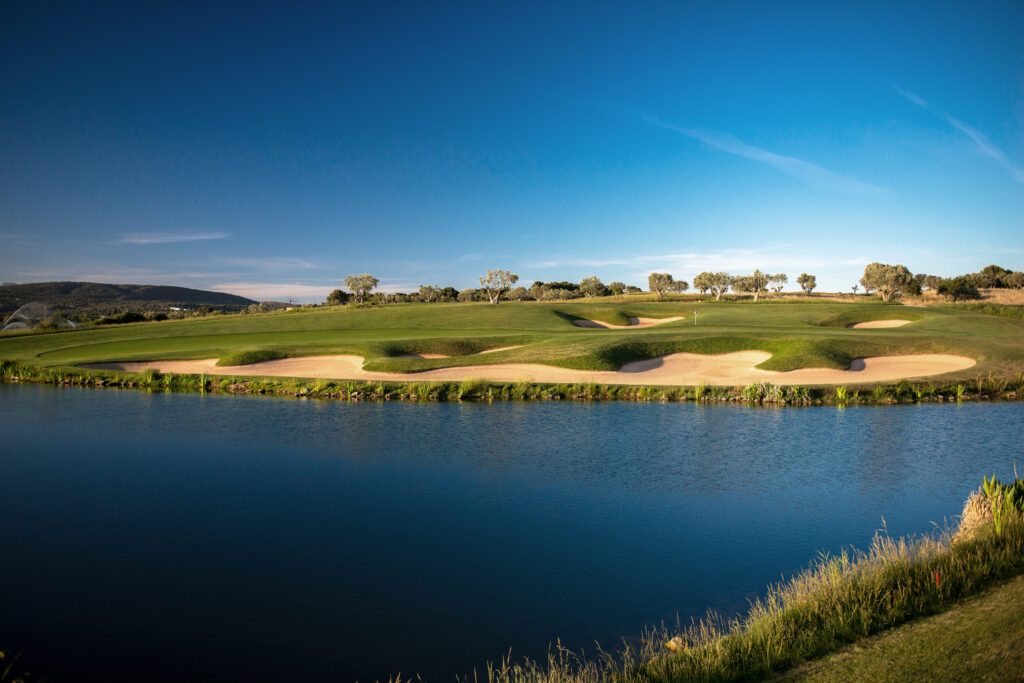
[812,175]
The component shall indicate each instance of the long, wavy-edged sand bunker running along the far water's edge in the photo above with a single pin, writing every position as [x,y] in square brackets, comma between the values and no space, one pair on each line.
[692,369]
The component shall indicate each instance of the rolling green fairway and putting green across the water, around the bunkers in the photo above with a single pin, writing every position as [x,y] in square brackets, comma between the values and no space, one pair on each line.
[798,335]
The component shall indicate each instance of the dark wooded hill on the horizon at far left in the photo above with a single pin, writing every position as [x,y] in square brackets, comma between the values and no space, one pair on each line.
[100,300]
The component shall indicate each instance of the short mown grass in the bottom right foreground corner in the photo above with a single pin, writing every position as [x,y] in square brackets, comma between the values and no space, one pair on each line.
[979,639]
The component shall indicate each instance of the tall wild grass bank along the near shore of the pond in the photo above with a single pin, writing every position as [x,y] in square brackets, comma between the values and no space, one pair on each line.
[837,602]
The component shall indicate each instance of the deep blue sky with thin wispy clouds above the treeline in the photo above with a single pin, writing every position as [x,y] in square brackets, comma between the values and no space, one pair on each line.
[271,151]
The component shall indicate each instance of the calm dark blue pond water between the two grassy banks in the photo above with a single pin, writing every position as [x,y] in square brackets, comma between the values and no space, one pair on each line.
[169,537]
